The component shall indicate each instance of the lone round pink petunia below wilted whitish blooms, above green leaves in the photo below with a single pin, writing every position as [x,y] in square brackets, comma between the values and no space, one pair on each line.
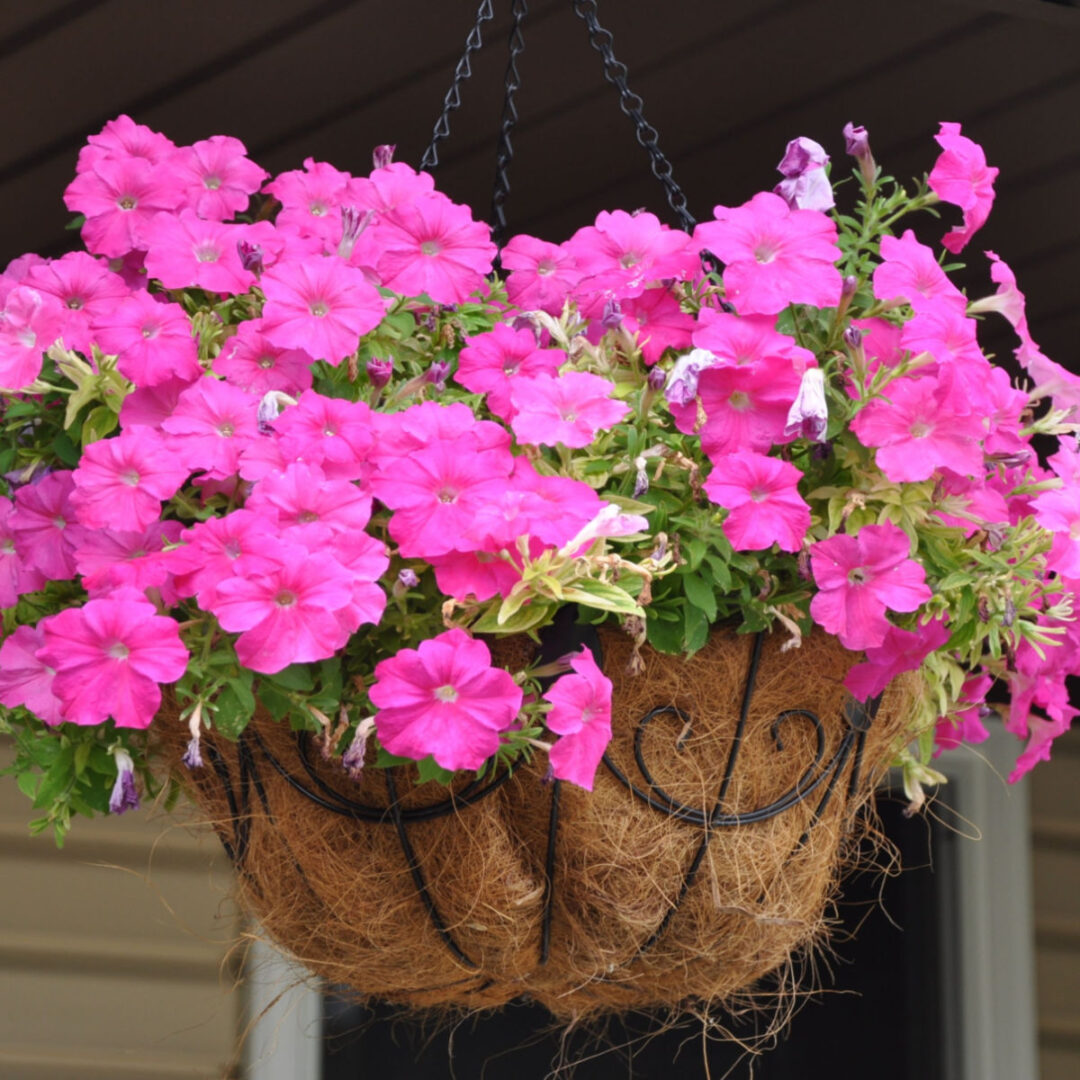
[763,499]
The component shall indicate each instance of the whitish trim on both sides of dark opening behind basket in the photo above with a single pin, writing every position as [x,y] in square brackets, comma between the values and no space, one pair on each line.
[988,941]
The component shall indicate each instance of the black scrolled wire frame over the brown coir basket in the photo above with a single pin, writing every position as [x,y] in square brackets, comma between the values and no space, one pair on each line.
[304,778]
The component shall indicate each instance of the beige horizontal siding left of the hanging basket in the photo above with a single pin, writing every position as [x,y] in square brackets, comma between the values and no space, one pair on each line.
[117,955]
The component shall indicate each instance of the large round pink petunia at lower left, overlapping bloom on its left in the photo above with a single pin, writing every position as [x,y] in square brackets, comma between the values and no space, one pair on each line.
[110,657]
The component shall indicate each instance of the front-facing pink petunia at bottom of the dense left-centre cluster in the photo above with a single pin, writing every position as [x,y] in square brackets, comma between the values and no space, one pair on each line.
[288,615]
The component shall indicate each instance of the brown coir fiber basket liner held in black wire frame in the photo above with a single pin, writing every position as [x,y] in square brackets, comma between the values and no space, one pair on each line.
[712,872]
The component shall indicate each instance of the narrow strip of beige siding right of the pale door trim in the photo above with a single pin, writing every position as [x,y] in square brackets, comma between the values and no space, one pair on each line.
[1056,809]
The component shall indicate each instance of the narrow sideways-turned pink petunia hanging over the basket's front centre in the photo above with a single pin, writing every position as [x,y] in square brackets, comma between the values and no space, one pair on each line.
[582,714]
